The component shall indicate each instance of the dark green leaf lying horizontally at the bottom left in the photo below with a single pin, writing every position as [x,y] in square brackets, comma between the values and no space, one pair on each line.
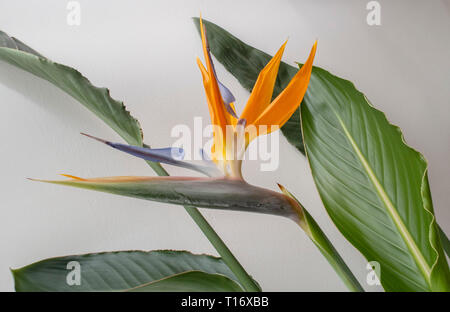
[121,270]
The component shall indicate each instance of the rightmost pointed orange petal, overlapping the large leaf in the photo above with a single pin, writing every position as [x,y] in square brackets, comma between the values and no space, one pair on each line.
[282,108]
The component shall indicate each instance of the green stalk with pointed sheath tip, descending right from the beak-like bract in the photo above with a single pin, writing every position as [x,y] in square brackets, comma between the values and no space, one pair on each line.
[326,248]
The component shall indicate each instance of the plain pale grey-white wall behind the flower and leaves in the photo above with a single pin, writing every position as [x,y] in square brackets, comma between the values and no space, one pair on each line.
[144,51]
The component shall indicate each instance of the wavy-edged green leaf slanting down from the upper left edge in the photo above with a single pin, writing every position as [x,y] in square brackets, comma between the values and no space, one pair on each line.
[97,100]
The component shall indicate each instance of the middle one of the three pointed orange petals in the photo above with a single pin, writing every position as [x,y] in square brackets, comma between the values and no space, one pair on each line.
[262,91]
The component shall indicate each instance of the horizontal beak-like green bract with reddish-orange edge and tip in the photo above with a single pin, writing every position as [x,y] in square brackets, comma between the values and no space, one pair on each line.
[216,193]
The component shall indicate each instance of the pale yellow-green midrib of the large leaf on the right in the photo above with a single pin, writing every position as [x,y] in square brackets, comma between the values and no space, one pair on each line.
[404,233]
